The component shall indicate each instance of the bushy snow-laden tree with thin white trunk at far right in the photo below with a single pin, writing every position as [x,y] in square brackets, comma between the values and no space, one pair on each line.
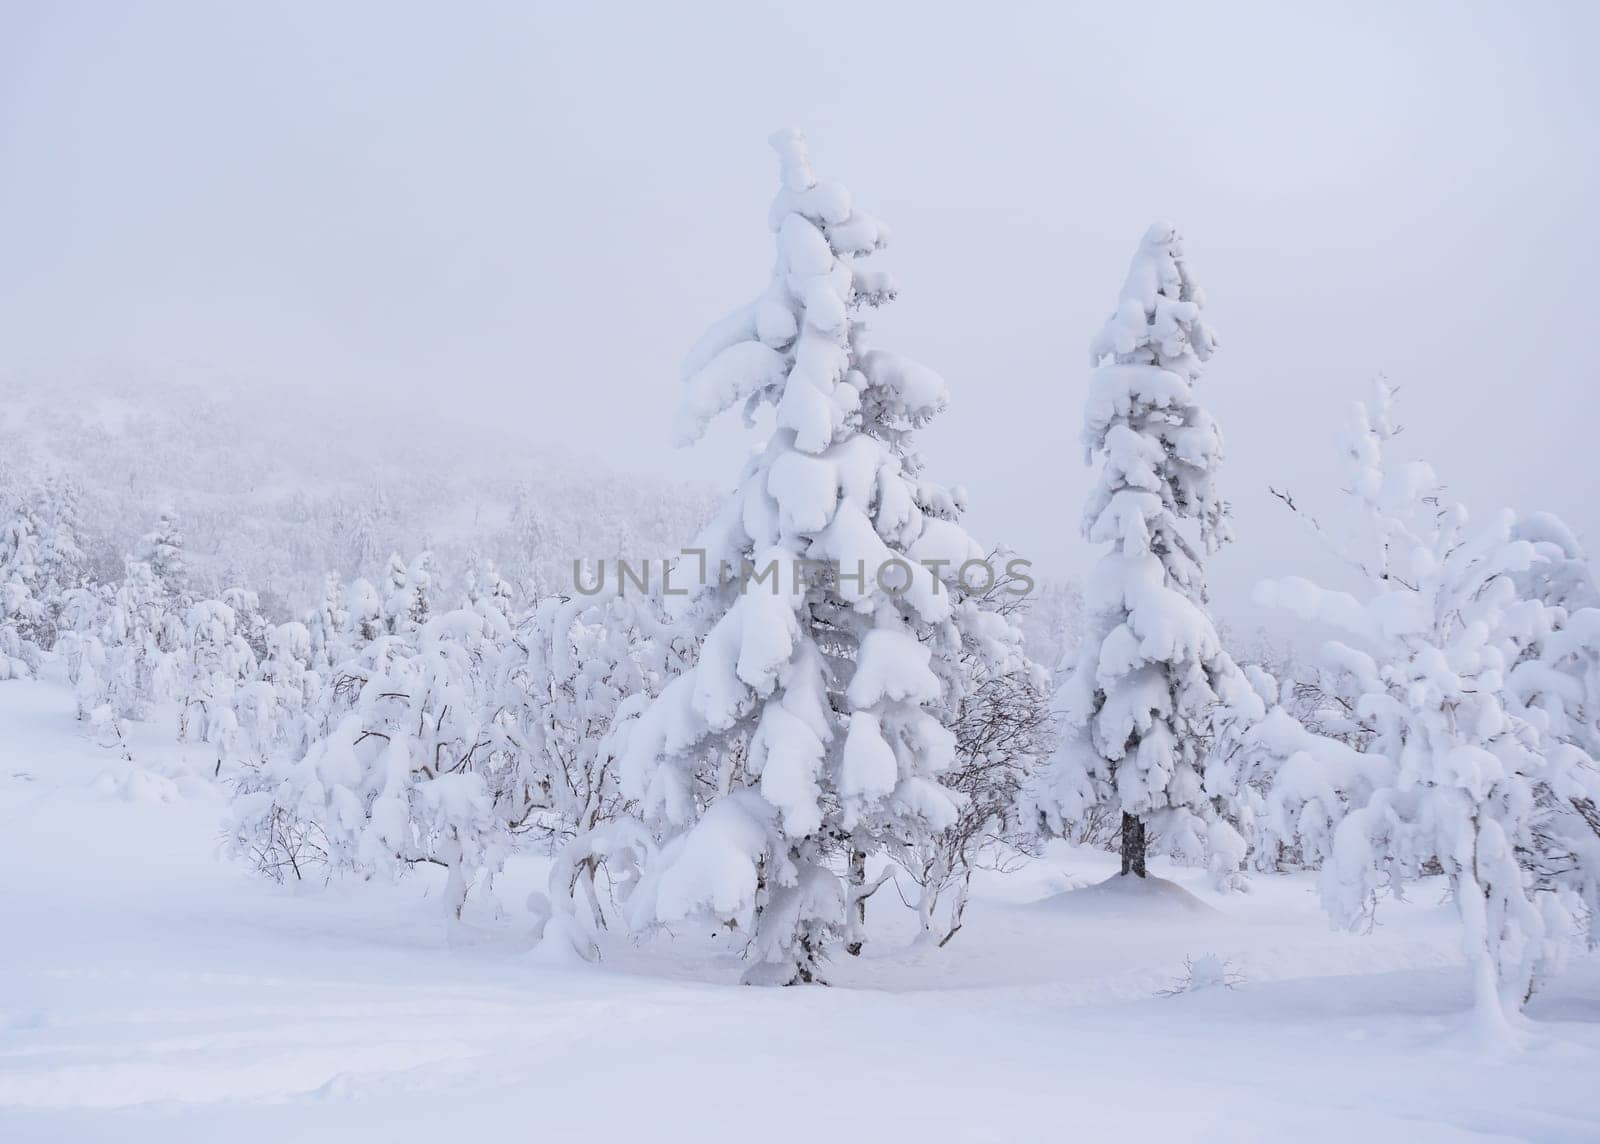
[1474,785]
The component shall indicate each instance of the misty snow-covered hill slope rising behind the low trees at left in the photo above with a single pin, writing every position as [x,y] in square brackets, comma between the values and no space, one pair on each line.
[278,492]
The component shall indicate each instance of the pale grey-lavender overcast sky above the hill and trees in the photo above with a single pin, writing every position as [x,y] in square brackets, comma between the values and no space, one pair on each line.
[526,215]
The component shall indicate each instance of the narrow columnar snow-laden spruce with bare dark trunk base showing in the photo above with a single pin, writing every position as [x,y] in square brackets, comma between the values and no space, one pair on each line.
[1137,705]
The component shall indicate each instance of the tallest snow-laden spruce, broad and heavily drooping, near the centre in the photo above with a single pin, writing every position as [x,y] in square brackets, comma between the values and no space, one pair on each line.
[812,726]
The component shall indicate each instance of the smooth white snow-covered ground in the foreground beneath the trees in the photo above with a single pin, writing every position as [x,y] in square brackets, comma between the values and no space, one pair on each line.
[154,991]
